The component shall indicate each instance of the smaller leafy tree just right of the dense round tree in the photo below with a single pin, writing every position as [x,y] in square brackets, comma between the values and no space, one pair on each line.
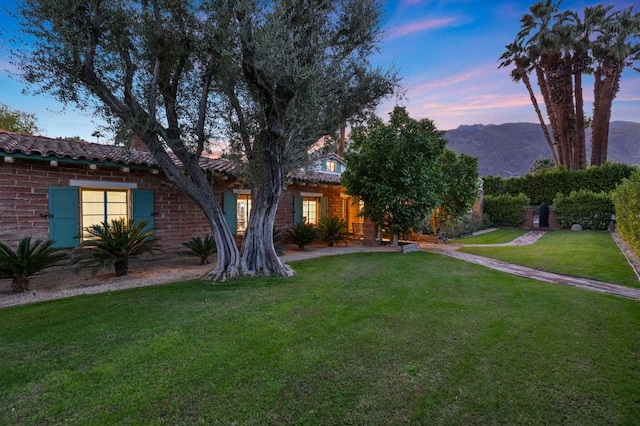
[459,190]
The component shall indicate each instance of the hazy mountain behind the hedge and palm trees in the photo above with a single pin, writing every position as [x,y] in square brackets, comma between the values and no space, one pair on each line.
[510,149]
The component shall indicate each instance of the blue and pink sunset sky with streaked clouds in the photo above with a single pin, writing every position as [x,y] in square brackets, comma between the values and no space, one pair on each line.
[446,53]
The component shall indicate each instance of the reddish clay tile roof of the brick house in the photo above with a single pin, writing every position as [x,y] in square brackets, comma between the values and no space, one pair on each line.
[77,150]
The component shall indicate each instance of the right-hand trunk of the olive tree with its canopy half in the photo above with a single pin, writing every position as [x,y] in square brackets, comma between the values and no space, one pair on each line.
[301,71]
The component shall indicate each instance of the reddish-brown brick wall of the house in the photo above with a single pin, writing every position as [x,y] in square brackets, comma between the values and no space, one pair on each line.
[24,200]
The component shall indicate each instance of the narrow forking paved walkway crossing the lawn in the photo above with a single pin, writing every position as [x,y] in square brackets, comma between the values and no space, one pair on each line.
[522,271]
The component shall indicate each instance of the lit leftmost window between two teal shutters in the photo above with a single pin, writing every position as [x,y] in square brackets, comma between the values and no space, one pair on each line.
[102,205]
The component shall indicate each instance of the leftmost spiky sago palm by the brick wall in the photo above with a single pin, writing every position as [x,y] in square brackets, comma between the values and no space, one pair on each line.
[29,259]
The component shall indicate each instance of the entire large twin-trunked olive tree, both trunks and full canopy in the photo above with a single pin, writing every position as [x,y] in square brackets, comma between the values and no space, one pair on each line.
[270,78]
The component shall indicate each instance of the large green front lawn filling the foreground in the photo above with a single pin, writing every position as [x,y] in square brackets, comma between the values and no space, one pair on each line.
[378,338]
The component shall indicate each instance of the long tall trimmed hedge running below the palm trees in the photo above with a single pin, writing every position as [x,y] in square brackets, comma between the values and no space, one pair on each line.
[545,185]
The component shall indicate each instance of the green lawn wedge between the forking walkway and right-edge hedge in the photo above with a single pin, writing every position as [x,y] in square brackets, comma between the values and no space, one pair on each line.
[587,254]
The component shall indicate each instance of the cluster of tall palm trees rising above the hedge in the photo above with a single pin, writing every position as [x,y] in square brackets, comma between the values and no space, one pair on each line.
[559,47]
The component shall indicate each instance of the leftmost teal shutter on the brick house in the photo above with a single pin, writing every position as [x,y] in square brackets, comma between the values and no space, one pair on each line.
[64,218]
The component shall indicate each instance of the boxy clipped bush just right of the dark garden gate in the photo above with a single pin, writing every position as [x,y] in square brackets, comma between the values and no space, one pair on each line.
[588,209]
